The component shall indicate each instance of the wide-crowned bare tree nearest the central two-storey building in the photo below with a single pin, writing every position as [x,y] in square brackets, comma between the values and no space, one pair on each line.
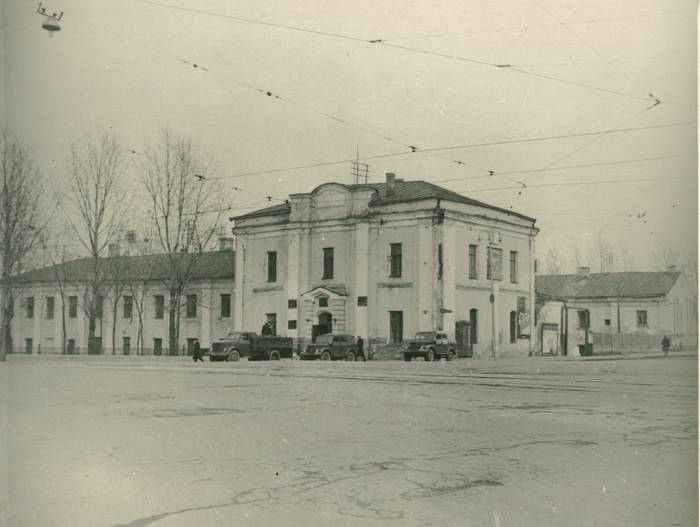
[185,212]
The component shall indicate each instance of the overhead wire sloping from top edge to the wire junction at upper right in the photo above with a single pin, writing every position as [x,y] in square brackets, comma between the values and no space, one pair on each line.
[387,43]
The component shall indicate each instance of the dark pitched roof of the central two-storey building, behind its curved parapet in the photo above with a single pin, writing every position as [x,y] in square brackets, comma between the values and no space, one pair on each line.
[403,191]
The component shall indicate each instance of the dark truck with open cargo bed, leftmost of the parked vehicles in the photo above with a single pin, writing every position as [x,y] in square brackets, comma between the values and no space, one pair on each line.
[239,344]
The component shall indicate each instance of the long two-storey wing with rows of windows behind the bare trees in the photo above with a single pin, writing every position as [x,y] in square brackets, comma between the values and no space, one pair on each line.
[50,295]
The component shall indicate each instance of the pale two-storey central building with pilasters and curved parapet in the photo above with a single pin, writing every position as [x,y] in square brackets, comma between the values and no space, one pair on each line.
[383,261]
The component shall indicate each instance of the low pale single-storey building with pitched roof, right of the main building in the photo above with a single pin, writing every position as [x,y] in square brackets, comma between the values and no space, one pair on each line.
[613,312]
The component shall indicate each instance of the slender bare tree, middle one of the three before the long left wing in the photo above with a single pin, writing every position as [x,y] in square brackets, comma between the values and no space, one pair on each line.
[96,167]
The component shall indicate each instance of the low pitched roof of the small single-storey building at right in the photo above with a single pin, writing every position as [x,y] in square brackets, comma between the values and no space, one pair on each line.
[605,285]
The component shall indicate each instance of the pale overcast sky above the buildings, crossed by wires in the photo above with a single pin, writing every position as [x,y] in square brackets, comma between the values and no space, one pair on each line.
[567,67]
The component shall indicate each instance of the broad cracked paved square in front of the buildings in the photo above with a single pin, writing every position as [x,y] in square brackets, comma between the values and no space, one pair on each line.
[165,442]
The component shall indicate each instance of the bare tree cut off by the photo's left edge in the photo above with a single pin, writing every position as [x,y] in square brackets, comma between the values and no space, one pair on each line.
[21,225]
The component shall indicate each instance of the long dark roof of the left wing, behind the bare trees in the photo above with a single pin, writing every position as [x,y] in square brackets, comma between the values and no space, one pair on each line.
[210,266]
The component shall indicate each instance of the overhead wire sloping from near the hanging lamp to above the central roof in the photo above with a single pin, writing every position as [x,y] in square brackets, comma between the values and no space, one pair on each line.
[411,148]
